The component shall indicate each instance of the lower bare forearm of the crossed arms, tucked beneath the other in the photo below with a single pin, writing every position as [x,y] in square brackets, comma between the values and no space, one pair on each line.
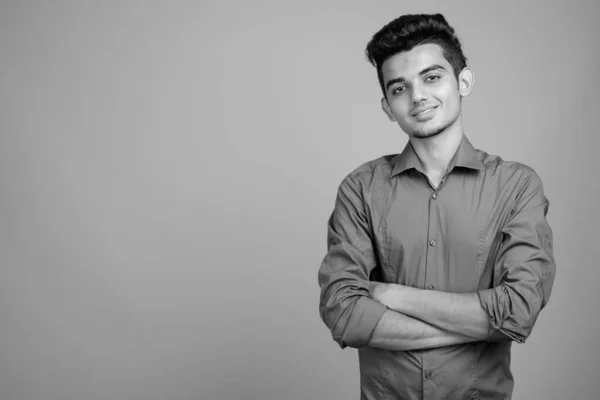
[396,331]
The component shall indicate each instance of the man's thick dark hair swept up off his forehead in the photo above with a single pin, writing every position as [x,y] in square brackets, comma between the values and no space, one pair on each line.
[411,30]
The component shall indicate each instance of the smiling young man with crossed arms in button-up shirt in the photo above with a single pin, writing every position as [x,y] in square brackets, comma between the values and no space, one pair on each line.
[441,256]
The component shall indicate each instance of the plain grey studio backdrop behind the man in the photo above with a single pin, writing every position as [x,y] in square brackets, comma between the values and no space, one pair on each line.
[167,170]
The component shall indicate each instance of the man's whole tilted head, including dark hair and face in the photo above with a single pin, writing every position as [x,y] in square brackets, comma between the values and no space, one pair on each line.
[422,73]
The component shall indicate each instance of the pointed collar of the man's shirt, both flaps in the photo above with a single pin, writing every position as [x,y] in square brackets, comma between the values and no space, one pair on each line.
[465,156]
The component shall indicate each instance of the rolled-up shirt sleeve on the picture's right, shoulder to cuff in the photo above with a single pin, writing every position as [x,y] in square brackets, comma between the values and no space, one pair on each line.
[525,266]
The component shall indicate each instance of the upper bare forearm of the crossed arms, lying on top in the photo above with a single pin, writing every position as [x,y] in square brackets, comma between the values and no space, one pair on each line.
[459,313]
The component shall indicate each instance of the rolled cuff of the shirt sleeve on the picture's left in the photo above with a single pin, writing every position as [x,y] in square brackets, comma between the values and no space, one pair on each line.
[362,322]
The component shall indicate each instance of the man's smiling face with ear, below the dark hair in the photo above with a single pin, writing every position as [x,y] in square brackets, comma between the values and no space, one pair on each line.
[423,95]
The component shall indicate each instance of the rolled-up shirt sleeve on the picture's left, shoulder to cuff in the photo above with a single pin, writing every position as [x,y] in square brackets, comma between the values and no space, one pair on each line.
[345,305]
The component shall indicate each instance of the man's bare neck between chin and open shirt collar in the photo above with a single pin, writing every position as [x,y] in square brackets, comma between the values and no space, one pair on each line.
[436,152]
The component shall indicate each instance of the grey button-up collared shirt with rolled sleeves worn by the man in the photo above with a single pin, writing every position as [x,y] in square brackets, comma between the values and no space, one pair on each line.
[482,230]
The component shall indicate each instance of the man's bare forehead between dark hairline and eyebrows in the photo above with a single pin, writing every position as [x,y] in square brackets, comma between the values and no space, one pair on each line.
[408,64]
